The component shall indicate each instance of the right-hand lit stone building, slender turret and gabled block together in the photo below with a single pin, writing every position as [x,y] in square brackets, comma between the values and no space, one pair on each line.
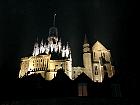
[97,61]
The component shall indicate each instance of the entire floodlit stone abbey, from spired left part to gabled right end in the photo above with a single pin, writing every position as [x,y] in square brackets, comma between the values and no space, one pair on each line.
[50,56]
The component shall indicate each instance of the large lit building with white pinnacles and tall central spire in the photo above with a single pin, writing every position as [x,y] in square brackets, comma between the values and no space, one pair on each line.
[48,57]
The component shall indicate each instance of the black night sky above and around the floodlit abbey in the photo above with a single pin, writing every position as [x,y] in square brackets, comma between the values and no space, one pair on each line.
[112,22]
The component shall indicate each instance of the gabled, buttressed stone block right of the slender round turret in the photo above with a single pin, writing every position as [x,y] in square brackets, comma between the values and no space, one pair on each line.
[101,62]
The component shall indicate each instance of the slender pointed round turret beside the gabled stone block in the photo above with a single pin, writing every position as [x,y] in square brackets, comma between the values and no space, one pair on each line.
[87,58]
